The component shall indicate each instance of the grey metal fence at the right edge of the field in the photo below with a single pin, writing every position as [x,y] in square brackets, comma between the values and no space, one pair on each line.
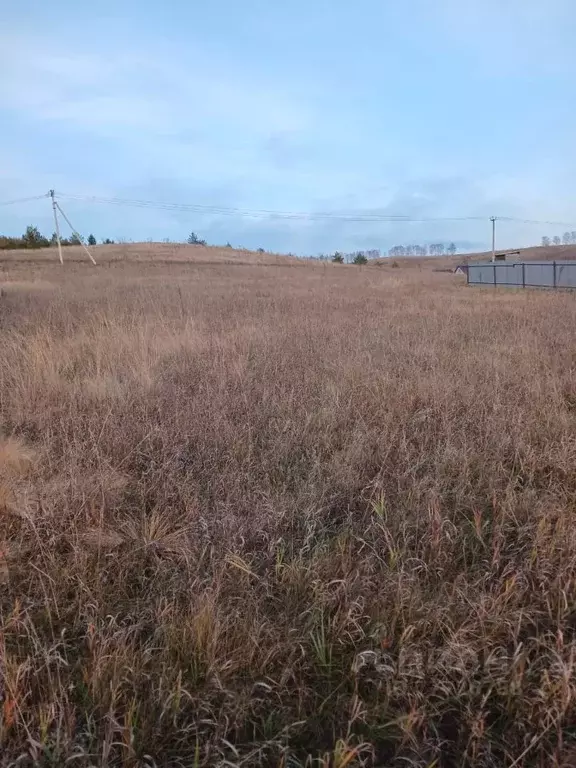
[525,274]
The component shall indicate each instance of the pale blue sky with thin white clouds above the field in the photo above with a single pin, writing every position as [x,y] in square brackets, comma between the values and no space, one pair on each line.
[421,108]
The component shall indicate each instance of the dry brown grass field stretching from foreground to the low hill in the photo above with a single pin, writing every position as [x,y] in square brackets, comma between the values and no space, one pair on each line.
[283,514]
